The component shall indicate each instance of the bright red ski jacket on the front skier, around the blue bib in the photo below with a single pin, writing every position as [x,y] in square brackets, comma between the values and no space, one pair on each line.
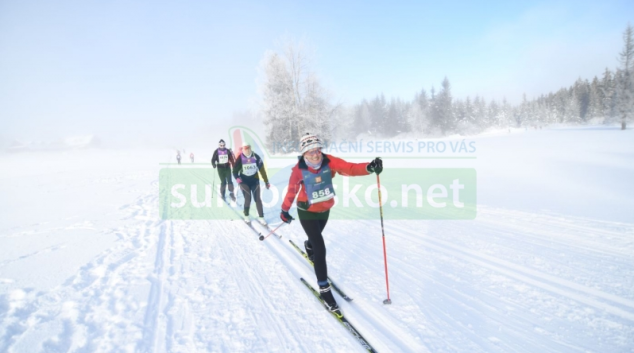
[296,181]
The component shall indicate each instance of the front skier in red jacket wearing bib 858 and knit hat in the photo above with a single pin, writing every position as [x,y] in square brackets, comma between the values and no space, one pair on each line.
[311,182]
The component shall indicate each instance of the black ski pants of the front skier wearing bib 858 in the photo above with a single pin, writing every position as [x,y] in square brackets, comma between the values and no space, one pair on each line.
[314,224]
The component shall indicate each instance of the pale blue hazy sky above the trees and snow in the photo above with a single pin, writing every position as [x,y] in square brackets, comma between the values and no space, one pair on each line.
[171,71]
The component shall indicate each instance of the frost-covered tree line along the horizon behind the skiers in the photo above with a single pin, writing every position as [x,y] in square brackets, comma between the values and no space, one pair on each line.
[294,102]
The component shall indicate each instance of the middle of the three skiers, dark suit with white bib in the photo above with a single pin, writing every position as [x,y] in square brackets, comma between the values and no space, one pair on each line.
[245,170]
